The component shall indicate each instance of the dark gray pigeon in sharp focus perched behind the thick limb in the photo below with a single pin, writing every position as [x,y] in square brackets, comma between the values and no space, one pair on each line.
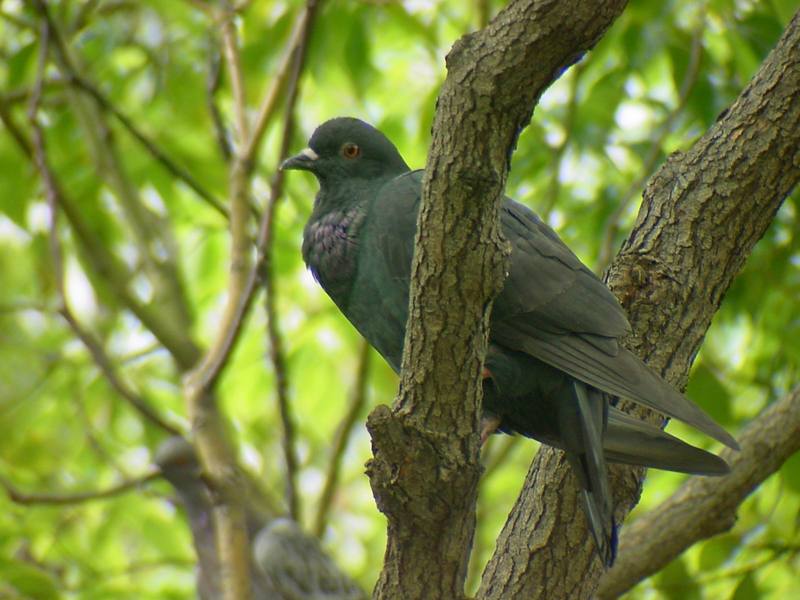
[554,358]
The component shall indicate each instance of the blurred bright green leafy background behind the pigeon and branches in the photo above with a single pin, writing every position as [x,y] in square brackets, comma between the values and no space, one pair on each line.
[651,87]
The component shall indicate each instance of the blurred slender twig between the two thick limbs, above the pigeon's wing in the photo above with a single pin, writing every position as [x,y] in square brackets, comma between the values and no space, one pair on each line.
[612,229]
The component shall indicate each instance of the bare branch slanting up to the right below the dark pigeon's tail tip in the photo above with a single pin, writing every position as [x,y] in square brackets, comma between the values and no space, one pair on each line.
[704,507]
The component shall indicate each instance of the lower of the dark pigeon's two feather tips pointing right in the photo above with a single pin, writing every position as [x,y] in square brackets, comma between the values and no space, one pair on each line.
[631,441]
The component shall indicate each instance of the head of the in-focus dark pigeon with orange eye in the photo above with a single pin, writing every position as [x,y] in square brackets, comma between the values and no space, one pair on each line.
[347,148]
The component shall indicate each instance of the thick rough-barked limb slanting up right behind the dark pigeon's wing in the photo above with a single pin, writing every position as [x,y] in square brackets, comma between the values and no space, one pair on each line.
[703,211]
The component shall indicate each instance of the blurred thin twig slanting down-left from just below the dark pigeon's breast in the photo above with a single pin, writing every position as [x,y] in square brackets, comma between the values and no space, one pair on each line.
[358,399]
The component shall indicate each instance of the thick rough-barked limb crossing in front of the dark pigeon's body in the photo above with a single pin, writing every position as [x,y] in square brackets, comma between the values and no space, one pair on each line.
[425,469]
